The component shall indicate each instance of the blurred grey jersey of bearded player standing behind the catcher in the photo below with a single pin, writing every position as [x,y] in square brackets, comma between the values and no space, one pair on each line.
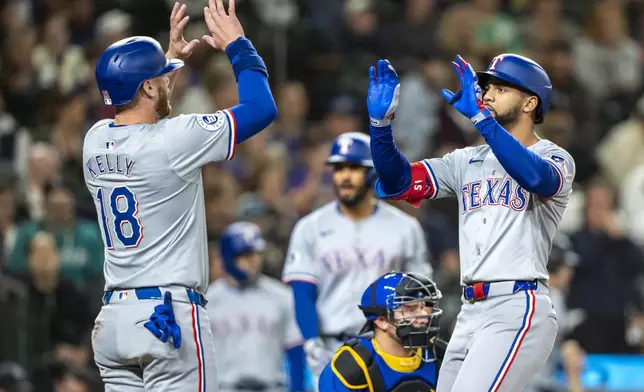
[342,257]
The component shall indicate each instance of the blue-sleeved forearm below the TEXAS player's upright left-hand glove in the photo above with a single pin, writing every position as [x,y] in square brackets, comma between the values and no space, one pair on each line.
[394,170]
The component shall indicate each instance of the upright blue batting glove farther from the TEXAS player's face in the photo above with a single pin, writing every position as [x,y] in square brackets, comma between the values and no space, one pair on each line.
[384,93]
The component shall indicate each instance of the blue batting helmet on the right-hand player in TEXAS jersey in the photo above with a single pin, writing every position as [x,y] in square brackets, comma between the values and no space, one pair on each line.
[524,73]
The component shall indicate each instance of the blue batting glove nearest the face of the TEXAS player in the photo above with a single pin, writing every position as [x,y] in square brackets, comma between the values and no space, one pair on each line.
[469,99]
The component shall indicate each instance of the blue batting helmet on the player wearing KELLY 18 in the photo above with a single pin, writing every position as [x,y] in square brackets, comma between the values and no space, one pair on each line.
[126,64]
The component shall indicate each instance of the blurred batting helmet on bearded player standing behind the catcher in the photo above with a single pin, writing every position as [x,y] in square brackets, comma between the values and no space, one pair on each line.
[353,147]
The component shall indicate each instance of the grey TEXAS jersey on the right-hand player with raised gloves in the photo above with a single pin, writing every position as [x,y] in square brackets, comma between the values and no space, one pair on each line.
[506,233]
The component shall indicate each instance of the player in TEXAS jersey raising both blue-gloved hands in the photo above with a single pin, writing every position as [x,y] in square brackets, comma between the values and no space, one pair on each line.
[512,192]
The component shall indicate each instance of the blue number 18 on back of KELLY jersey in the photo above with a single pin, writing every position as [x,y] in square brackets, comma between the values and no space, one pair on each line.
[124,209]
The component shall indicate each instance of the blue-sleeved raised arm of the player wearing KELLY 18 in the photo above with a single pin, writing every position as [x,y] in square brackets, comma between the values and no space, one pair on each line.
[256,109]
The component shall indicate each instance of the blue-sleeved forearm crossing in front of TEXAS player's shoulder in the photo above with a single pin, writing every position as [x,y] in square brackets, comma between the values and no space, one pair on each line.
[530,170]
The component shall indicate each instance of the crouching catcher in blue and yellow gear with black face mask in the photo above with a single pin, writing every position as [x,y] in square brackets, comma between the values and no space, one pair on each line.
[404,353]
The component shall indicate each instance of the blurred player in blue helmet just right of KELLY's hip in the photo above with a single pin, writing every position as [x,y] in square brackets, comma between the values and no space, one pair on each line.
[251,313]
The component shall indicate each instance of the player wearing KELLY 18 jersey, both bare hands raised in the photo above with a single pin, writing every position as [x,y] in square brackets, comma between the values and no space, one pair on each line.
[144,173]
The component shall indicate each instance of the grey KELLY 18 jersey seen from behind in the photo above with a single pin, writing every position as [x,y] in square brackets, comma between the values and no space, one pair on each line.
[147,188]
